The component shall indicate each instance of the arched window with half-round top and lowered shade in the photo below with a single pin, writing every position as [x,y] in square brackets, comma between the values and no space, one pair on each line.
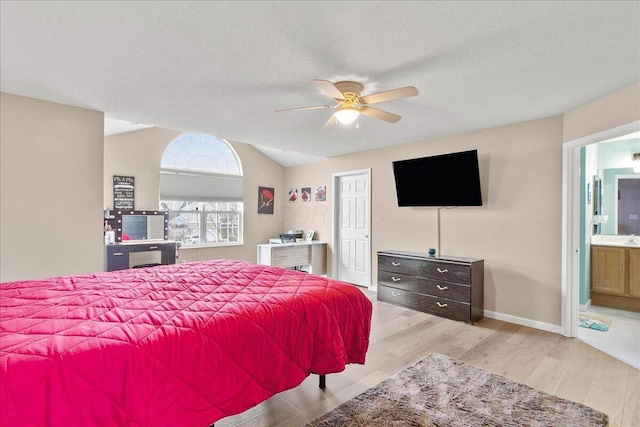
[201,187]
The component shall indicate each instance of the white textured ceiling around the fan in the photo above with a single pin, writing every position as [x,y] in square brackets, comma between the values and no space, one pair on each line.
[223,67]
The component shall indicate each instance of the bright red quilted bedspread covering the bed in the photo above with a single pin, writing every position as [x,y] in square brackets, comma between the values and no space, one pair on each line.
[175,345]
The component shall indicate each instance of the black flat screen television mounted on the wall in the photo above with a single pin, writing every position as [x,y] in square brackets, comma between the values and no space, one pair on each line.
[445,180]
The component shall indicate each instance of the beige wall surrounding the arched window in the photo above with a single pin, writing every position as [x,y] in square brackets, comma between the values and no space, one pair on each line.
[139,153]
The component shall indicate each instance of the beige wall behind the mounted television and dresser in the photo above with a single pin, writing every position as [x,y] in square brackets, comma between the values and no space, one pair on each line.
[517,231]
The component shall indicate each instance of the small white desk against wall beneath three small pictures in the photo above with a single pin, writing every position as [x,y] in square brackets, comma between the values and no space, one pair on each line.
[311,254]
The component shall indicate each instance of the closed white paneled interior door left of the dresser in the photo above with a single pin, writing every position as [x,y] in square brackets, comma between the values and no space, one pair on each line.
[352,250]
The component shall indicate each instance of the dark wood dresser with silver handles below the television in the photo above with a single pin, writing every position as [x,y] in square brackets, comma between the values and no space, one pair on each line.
[445,286]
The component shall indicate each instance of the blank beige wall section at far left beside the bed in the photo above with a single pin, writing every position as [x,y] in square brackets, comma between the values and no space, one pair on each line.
[50,189]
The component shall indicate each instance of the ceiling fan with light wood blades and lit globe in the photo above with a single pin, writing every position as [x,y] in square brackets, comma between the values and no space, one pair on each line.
[350,104]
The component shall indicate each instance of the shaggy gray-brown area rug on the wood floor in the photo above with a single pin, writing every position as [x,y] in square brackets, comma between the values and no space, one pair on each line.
[441,391]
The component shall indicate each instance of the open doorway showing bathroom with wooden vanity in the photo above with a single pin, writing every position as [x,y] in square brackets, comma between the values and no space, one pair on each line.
[593,165]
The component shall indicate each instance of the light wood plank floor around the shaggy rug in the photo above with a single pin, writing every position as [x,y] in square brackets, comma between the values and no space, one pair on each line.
[565,367]
